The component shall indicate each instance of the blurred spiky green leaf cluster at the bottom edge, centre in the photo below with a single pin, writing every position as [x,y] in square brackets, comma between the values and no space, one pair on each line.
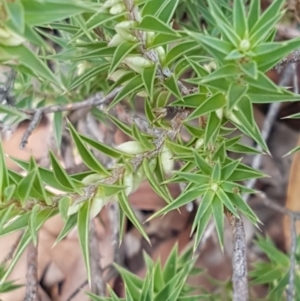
[160,283]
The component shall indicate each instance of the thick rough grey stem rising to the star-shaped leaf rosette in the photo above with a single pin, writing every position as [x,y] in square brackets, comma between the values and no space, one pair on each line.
[239,259]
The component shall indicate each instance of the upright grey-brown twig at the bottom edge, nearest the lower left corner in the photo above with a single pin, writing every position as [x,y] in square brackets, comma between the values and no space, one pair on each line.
[31,276]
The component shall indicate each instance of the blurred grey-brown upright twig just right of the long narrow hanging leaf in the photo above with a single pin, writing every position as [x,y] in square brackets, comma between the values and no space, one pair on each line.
[98,284]
